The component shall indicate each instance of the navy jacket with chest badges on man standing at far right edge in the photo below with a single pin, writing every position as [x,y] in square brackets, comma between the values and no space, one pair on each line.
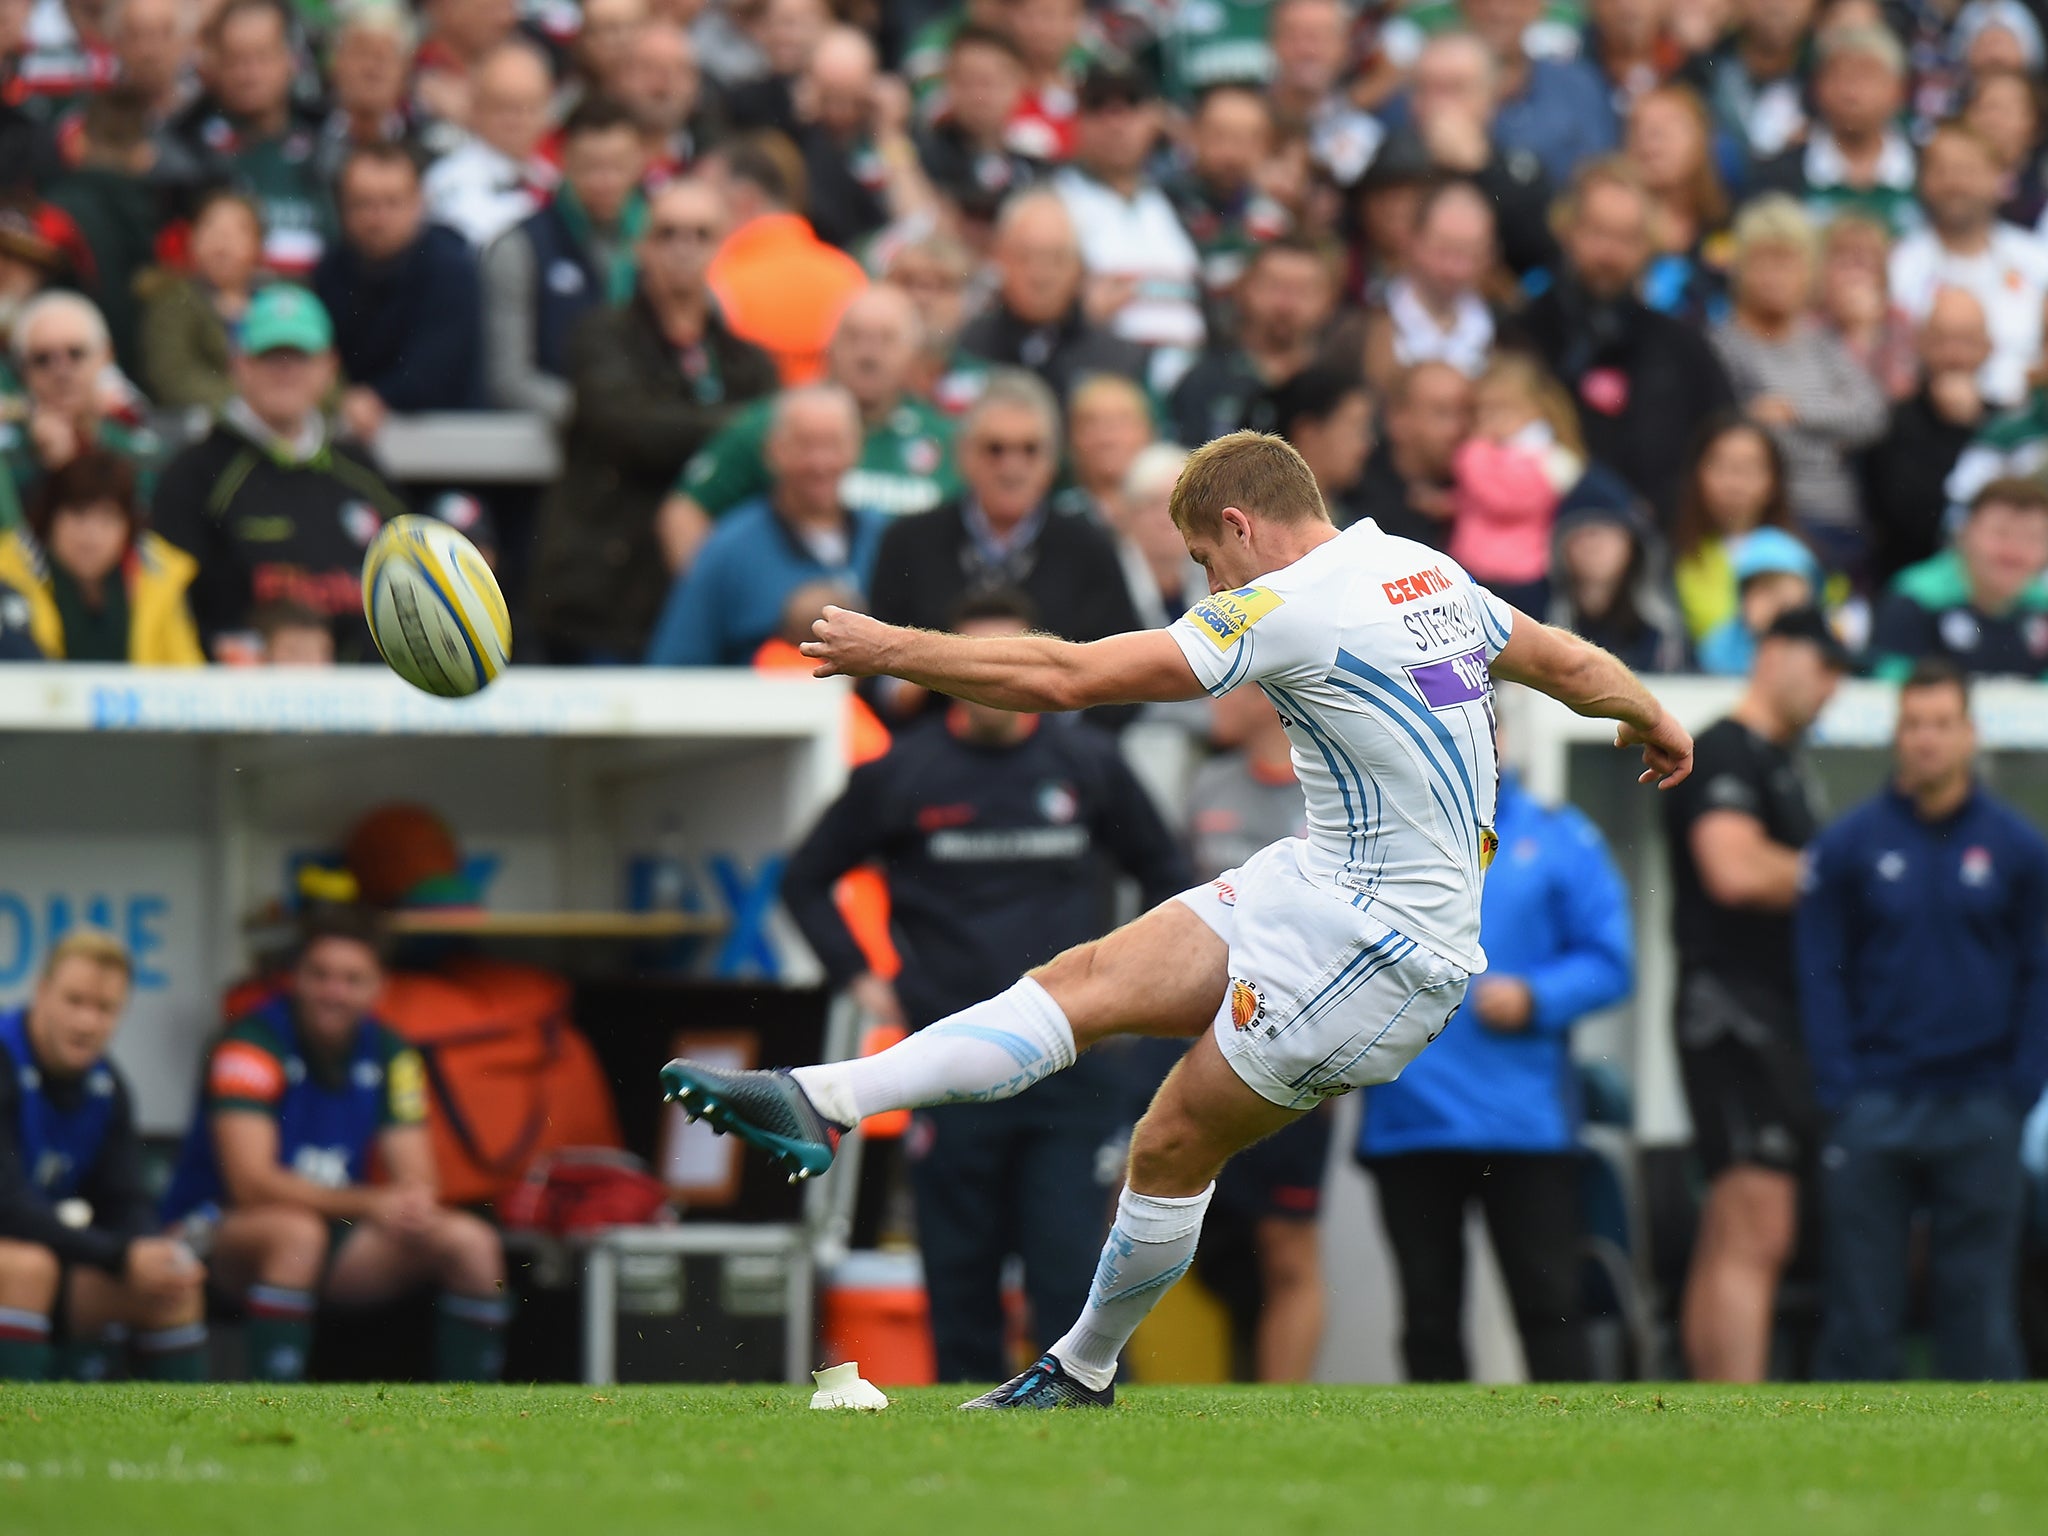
[1924,951]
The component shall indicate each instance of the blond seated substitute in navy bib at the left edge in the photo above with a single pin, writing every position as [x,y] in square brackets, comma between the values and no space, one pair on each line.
[77,1228]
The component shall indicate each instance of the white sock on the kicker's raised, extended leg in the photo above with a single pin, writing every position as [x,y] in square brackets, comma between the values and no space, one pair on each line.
[982,1054]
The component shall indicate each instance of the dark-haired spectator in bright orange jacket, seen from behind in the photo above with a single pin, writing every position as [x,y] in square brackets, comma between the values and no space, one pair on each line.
[777,284]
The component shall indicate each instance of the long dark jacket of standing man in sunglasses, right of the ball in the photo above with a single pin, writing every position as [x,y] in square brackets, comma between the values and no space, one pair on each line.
[642,411]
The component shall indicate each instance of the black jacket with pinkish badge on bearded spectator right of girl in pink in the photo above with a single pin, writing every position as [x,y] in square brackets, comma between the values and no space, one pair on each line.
[1641,382]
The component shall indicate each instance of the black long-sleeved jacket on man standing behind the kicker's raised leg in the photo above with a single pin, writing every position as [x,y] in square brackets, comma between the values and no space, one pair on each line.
[994,857]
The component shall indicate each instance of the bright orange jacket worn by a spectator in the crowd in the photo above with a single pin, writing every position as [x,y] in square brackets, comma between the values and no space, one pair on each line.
[783,290]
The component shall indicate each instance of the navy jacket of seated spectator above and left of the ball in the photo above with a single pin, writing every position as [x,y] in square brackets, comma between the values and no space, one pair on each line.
[411,329]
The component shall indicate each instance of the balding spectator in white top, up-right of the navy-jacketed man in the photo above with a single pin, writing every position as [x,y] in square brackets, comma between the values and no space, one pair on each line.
[497,177]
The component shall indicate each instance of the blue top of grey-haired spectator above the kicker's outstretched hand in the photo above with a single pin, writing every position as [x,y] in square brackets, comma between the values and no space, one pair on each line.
[734,595]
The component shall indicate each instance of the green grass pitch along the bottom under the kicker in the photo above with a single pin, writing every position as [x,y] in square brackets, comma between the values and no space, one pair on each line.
[1170,1461]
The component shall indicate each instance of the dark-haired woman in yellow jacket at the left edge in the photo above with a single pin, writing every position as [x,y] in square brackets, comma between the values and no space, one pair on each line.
[99,587]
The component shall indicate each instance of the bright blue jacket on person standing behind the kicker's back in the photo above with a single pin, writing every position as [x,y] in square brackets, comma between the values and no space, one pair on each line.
[1553,914]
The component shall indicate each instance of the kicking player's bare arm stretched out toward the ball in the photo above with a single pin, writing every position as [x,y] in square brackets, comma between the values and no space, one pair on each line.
[1025,673]
